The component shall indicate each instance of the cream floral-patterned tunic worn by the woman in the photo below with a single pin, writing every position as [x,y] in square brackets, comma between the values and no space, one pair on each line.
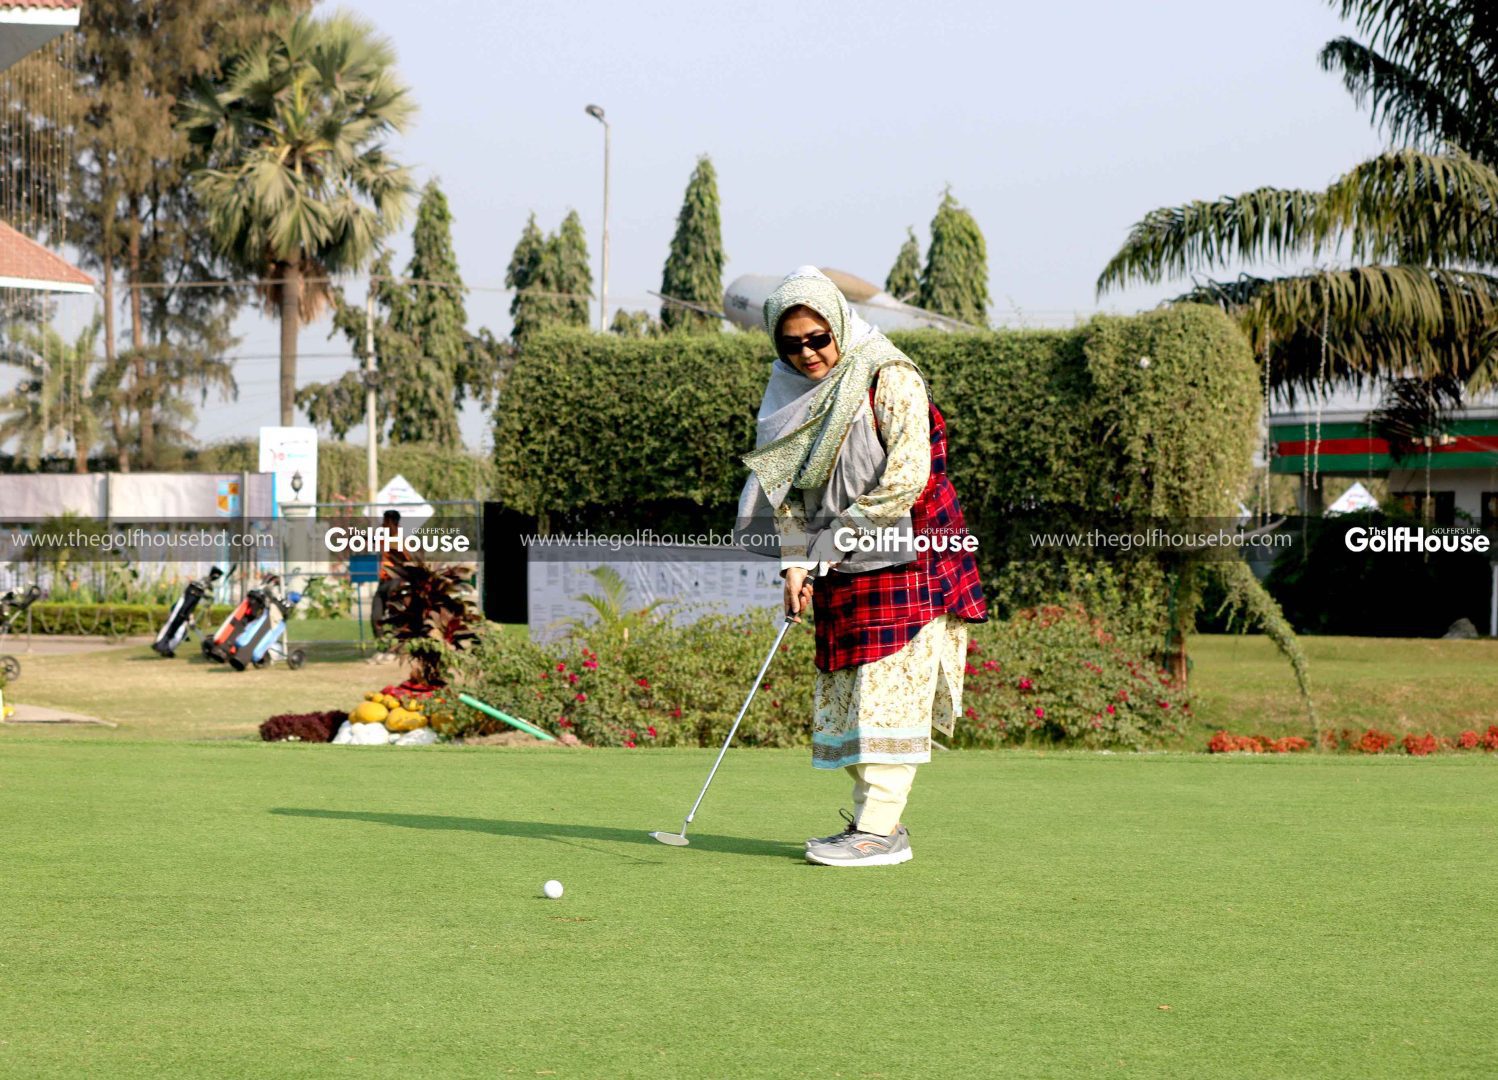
[883,712]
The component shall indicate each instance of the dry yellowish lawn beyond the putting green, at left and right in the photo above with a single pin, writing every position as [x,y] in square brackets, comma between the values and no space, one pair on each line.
[1238,682]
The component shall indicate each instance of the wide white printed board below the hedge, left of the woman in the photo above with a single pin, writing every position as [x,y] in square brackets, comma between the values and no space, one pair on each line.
[697,582]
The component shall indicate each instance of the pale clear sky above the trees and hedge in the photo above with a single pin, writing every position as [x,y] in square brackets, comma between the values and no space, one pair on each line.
[837,127]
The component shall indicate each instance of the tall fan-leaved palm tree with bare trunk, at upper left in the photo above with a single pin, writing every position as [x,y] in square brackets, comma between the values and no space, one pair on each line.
[296,176]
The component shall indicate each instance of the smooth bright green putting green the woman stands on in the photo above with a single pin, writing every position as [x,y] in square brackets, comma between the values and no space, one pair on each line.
[248,910]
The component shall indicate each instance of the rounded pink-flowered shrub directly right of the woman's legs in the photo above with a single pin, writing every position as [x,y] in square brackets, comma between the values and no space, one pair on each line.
[1054,675]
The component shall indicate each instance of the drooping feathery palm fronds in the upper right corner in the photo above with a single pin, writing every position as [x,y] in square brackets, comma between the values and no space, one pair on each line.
[1418,294]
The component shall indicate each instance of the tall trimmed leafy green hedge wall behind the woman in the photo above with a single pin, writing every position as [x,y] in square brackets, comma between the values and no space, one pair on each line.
[1049,425]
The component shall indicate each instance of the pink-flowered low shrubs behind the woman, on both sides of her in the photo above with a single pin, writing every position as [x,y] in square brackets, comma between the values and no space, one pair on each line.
[687,684]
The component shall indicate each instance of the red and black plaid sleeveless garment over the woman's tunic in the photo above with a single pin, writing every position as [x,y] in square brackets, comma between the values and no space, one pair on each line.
[861,618]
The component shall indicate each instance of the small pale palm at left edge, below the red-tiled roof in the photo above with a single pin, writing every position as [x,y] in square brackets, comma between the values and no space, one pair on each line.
[59,402]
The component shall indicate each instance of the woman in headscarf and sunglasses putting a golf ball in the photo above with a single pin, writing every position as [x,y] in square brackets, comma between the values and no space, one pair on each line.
[852,465]
